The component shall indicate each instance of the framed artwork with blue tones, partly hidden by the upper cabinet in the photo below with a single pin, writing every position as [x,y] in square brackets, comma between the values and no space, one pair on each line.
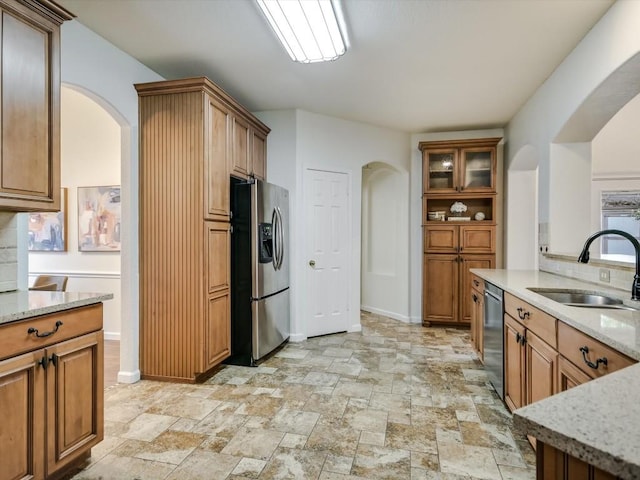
[48,230]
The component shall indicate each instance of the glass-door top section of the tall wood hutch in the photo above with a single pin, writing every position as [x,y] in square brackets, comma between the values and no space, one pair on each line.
[467,166]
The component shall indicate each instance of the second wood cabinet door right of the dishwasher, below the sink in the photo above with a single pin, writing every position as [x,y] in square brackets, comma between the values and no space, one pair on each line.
[542,363]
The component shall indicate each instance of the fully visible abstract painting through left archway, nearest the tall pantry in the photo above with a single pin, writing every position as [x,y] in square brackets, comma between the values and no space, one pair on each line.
[99,219]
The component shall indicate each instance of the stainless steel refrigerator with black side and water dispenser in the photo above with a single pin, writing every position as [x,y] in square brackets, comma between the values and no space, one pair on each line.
[260,320]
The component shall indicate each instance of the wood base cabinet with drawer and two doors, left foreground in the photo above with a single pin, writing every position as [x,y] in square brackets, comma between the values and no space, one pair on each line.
[52,397]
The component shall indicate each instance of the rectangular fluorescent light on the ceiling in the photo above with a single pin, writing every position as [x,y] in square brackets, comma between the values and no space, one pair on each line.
[308,29]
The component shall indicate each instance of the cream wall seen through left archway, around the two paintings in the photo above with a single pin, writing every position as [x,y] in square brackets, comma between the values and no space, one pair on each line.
[90,156]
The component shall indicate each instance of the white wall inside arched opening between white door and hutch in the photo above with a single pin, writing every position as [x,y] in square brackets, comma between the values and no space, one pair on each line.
[385,249]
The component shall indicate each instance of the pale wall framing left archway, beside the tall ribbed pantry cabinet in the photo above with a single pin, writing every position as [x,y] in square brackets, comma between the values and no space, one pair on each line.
[107,74]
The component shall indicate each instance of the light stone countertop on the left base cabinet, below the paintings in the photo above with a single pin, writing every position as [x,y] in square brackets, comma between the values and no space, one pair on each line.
[23,304]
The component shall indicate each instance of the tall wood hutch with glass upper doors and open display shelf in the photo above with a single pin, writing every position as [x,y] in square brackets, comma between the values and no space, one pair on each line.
[456,171]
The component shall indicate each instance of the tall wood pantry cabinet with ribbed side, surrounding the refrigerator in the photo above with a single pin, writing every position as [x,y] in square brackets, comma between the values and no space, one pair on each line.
[193,136]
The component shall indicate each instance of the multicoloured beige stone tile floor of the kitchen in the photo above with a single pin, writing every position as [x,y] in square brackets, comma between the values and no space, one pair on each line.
[396,401]
